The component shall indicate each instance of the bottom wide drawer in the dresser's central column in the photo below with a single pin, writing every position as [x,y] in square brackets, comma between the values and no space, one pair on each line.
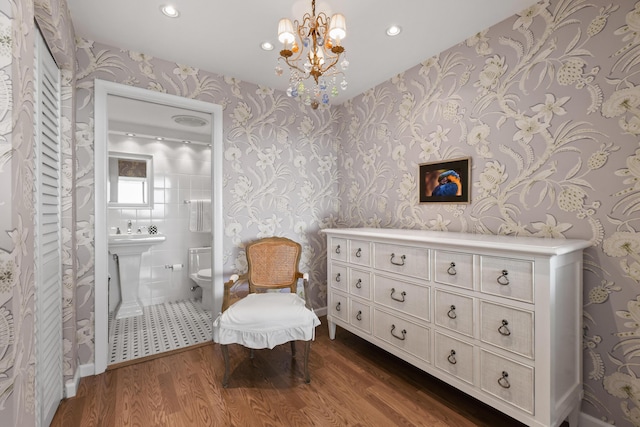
[407,336]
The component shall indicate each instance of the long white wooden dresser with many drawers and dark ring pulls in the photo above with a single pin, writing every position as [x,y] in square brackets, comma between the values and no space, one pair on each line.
[498,317]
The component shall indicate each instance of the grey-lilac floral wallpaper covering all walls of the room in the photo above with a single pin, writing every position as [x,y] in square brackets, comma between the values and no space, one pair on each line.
[545,103]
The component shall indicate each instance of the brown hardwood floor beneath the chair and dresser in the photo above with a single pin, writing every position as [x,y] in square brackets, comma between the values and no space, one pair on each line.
[353,383]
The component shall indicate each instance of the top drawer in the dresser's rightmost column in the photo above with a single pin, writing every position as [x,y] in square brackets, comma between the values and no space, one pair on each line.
[507,278]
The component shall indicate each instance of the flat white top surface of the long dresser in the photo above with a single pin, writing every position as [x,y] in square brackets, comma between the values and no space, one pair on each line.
[533,245]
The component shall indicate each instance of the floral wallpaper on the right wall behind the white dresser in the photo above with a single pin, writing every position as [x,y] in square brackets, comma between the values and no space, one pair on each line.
[546,104]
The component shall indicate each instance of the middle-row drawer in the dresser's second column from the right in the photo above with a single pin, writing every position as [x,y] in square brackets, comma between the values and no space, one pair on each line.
[453,311]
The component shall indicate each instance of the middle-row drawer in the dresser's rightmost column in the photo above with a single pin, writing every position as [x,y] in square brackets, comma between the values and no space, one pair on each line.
[506,327]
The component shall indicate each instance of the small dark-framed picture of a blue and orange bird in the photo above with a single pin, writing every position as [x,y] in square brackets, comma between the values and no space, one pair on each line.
[445,181]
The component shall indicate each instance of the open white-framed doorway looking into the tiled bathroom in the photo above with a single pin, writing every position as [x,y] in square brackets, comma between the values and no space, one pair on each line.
[183,140]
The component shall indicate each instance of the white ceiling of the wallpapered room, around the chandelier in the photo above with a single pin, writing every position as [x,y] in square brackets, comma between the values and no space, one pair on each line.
[224,36]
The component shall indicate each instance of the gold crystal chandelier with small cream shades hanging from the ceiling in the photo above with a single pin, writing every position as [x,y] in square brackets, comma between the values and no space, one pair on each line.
[312,49]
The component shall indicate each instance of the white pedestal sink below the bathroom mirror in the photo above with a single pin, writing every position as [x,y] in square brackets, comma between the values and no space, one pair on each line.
[129,248]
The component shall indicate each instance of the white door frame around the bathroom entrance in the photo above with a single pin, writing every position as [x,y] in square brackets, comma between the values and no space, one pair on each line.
[101,302]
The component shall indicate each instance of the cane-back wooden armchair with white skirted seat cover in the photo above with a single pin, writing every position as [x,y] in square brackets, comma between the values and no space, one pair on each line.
[267,319]
